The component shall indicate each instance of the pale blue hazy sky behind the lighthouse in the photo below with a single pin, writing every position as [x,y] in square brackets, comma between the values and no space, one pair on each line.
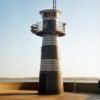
[20,50]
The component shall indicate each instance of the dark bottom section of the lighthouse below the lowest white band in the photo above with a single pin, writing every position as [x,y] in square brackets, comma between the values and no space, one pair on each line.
[50,82]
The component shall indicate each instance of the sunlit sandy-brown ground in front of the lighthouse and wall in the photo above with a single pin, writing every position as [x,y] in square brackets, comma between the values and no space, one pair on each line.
[32,95]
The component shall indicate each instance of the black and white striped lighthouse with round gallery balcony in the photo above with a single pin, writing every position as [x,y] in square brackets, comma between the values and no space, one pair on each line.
[50,78]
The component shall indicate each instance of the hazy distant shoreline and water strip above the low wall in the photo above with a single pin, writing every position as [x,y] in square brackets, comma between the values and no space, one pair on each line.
[65,80]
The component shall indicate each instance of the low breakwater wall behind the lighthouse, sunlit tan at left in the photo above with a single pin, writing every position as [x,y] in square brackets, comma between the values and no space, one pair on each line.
[68,86]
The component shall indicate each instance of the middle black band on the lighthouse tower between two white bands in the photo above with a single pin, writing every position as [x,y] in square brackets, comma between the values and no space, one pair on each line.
[50,52]
